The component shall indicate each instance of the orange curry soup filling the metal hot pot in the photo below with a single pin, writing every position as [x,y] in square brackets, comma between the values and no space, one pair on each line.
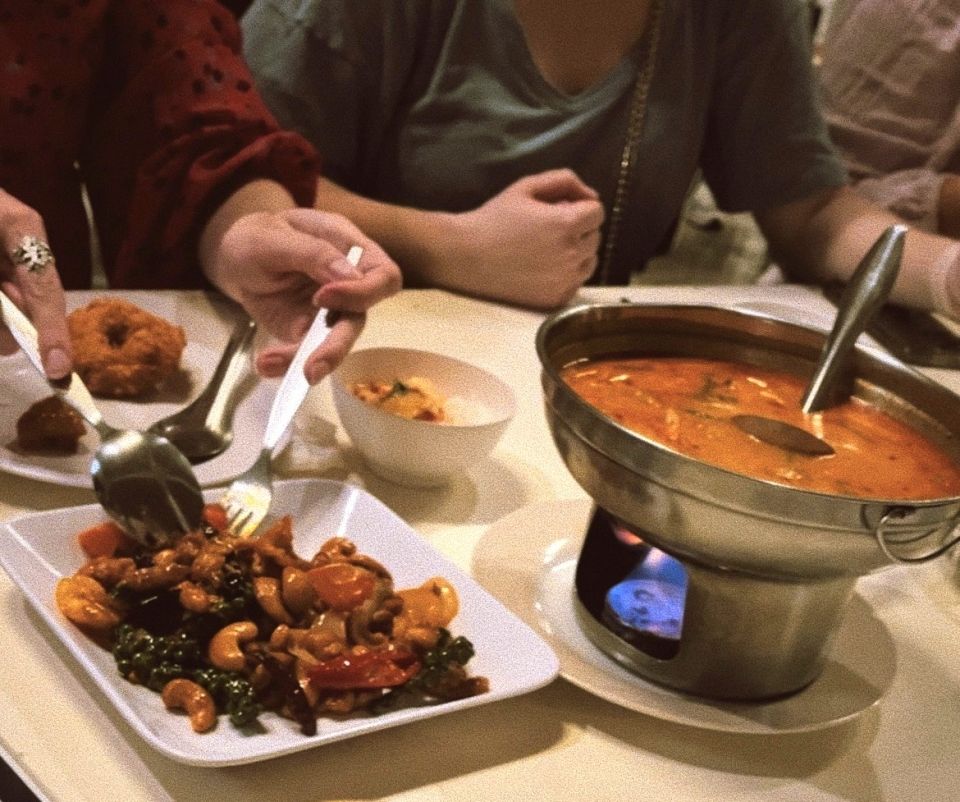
[686,404]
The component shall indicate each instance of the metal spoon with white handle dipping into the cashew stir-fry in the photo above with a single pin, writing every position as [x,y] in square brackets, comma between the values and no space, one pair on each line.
[142,481]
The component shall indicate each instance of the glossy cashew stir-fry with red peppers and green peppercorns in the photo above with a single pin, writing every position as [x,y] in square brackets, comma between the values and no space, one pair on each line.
[218,624]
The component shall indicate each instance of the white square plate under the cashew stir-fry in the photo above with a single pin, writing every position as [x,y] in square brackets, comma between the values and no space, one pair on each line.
[38,549]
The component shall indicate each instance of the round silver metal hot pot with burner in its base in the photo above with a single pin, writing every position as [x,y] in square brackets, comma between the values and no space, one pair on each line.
[768,568]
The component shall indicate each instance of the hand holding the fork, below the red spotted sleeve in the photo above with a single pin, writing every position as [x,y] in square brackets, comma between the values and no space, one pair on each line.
[283,266]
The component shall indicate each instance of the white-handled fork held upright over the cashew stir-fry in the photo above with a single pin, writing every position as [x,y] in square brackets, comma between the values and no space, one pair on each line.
[247,499]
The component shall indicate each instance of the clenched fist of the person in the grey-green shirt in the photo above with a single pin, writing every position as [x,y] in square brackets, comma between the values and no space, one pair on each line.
[534,244]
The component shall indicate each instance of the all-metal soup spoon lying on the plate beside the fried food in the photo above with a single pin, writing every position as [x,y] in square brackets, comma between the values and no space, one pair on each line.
[203,429]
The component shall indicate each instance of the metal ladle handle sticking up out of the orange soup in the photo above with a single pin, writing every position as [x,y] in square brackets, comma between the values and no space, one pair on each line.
[867,291]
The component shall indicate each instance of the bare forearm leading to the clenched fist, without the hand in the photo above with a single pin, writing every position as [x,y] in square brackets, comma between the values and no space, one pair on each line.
[420,241]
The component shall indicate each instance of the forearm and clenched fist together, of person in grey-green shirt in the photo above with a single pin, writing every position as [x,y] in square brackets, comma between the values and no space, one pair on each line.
[533,244]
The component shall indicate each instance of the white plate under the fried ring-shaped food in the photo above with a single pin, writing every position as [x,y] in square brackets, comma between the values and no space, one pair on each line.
[207,321]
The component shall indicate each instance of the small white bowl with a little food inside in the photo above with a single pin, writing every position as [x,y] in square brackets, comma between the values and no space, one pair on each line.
[414,452]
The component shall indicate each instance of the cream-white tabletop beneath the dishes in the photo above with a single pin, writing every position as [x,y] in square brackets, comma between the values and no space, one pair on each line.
[560,742]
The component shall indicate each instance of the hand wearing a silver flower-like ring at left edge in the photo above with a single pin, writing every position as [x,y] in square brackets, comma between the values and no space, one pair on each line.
[28,274]
